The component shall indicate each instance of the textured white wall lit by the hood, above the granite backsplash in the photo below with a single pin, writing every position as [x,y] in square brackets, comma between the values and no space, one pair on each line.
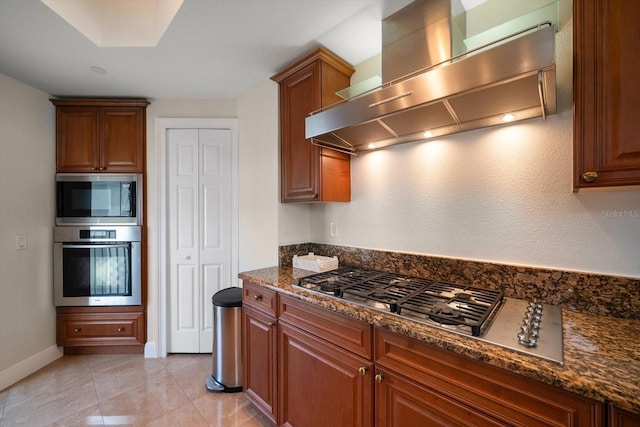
[502,195]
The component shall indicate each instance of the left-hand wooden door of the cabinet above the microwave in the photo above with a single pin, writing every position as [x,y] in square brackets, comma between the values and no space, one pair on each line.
[77,139]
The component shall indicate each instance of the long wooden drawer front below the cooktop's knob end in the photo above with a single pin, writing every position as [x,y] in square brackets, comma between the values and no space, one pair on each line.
[500,394]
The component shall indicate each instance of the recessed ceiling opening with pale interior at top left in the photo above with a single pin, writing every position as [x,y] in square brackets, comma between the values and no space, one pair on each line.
[118,23]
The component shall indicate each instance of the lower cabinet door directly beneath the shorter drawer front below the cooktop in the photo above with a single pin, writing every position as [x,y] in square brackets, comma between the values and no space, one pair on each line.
[320,384]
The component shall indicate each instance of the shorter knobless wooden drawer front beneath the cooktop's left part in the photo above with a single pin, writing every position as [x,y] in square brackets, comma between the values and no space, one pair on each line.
[345,332]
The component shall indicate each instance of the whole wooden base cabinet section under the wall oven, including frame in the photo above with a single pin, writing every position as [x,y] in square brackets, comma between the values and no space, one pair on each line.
[88,330]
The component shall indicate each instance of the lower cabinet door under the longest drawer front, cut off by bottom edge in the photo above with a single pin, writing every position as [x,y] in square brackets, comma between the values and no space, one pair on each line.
[401,403]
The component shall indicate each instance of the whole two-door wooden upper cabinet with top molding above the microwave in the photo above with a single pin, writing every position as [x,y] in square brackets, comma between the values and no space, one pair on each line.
[100,135]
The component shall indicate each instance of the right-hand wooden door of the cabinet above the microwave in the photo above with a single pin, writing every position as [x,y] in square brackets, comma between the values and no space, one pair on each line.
[121,137]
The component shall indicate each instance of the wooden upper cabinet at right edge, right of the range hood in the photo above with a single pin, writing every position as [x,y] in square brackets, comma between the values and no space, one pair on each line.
[606,93]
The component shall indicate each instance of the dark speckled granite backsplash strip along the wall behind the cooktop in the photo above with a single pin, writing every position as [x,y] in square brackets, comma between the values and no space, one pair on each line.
[585,292]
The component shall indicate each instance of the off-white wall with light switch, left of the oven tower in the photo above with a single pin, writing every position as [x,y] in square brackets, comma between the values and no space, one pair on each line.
[27,207]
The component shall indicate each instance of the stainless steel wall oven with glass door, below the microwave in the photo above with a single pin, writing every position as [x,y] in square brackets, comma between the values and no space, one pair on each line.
[97,266]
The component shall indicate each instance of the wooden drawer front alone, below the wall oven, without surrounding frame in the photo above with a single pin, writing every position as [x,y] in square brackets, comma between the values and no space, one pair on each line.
[89,329]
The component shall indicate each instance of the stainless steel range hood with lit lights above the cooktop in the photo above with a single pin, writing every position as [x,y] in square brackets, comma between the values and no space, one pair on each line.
[472,90]
